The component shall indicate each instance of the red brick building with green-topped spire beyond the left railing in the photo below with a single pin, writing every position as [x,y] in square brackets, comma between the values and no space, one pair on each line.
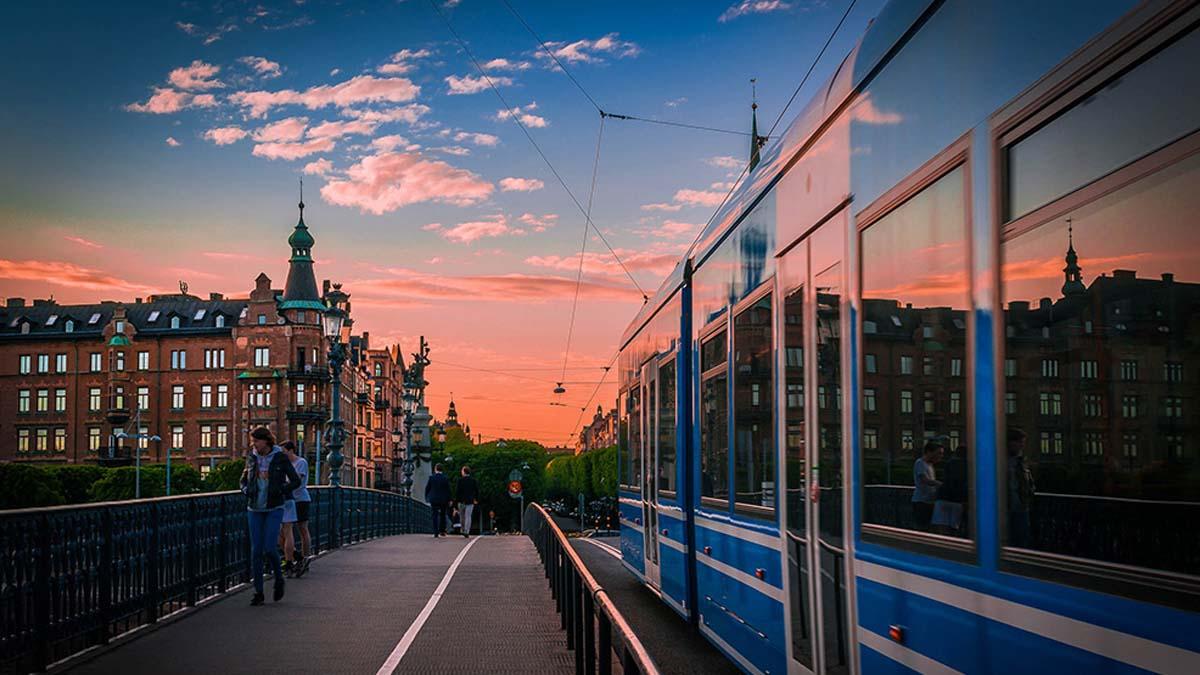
[197,373]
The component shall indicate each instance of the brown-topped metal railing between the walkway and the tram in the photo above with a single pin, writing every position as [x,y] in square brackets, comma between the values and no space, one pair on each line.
[589,616]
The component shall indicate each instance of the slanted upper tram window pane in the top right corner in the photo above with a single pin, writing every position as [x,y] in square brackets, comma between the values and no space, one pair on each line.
[1129,118]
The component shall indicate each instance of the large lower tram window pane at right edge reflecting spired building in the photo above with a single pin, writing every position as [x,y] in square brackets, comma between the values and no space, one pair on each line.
[1125,487]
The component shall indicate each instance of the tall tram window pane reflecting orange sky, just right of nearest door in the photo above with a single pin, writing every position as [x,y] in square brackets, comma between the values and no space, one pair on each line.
[916,289]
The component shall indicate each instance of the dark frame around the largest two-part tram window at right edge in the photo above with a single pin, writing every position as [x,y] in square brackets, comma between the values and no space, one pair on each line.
[1123,49]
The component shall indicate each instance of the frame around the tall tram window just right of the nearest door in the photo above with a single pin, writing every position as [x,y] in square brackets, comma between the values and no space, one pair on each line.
[957,157]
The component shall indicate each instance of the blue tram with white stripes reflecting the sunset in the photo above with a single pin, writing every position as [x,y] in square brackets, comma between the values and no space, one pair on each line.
[926,395]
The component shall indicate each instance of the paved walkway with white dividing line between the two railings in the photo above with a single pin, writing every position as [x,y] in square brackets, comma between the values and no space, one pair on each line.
[356,606]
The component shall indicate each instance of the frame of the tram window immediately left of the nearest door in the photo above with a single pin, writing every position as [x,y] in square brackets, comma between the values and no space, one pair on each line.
[765,291]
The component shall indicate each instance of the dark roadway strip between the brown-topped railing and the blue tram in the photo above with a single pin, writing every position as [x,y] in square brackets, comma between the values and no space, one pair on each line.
[673,644]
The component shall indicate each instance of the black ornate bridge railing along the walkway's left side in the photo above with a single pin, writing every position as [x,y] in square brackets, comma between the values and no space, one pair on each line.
[76,577]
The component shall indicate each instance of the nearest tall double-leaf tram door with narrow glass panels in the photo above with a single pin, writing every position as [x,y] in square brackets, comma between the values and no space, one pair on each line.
[812,289]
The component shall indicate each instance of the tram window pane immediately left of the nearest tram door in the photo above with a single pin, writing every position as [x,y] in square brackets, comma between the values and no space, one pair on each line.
[754,449]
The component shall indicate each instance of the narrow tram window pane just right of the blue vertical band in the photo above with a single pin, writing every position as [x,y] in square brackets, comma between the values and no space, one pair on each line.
[715,420]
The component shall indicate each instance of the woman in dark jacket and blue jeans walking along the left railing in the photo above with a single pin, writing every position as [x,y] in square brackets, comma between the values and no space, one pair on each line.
[268,482]
